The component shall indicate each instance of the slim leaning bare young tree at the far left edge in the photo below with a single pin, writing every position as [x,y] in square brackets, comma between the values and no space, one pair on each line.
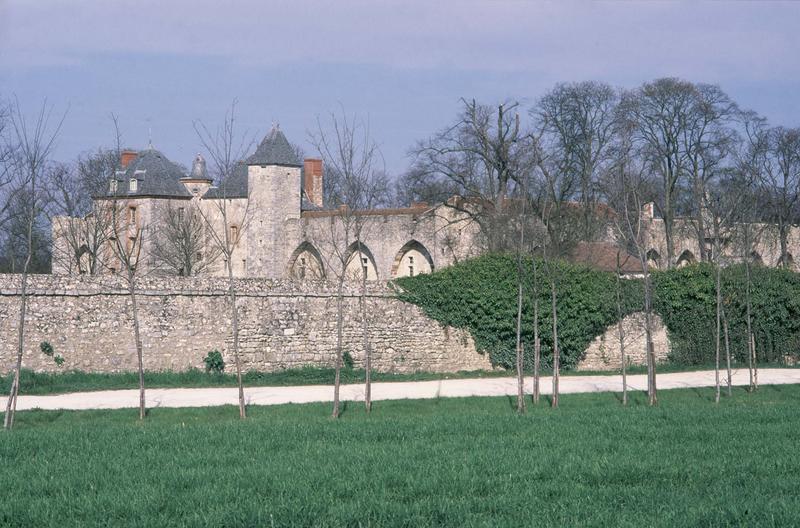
[32,144]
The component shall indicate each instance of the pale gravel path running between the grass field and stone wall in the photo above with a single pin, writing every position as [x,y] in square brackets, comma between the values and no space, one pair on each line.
[203,397]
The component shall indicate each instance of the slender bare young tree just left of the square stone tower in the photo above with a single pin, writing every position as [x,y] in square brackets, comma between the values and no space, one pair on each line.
[224,222]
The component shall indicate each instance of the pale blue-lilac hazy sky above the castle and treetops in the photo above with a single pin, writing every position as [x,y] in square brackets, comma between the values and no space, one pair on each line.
[401,66]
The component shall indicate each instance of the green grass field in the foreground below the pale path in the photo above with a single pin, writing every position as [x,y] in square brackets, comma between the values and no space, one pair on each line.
[449,462]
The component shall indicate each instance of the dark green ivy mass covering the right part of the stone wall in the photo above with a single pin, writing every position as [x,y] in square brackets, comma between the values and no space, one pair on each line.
[480,295]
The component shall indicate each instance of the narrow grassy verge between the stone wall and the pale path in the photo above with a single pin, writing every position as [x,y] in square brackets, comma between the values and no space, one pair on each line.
[37,383]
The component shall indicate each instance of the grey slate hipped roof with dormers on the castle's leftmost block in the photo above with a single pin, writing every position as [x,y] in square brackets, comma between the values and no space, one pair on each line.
[156,175]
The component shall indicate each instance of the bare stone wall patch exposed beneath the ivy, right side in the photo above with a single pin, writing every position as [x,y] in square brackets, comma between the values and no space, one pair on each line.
[603,353]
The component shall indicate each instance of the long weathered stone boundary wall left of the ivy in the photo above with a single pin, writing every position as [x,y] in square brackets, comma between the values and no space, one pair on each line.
[282,324]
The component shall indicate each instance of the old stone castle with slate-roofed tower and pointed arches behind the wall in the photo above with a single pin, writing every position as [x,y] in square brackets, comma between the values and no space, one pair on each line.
[279,227]
